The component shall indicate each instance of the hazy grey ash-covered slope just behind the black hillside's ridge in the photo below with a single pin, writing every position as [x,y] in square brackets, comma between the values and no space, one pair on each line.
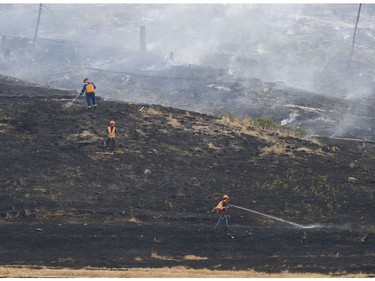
[215,91]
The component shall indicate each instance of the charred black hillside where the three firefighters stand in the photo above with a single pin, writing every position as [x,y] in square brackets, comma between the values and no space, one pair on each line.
[67,202]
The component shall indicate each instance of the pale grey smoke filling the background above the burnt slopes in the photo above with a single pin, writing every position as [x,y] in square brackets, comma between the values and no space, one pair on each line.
[304,46]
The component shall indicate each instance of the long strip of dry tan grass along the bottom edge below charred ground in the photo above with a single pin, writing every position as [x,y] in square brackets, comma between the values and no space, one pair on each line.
[174,272]
